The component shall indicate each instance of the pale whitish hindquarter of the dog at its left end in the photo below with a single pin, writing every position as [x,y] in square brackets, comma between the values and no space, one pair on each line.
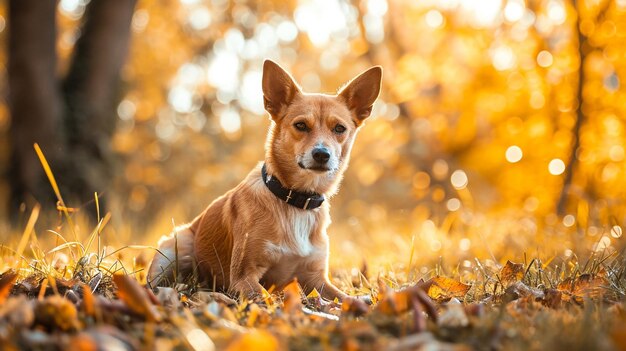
[173,259]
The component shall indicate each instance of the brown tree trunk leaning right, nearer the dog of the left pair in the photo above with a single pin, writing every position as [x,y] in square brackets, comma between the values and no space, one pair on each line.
[91,90]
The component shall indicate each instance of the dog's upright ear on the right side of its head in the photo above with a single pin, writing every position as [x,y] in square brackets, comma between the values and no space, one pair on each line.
[361,92]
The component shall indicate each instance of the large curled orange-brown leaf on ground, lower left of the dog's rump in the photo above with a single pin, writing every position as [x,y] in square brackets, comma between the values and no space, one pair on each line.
[135,297]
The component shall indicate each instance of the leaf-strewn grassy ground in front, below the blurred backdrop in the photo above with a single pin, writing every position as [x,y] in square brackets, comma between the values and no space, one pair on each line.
[74,296]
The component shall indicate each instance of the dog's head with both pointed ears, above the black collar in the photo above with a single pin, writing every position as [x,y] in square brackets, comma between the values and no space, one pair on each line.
[312,134]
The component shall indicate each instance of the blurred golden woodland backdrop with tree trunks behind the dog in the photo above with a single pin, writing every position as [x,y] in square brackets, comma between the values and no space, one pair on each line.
[500,131]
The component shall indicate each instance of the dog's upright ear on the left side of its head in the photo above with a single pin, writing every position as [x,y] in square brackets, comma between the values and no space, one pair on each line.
[279,88]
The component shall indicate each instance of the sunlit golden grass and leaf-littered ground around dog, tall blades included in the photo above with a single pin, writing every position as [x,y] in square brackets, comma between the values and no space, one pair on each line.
[57,293]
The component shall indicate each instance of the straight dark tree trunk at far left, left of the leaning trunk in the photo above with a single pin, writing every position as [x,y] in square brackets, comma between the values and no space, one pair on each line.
[34,100]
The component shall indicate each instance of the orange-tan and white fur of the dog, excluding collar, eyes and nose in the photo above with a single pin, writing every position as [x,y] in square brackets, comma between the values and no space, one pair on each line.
[248,238]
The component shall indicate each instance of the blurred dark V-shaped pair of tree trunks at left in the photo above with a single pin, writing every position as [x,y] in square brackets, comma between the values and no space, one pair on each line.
[73,121]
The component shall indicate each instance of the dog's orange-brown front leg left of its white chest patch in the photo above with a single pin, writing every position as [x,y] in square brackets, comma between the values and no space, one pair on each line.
[246,269]
